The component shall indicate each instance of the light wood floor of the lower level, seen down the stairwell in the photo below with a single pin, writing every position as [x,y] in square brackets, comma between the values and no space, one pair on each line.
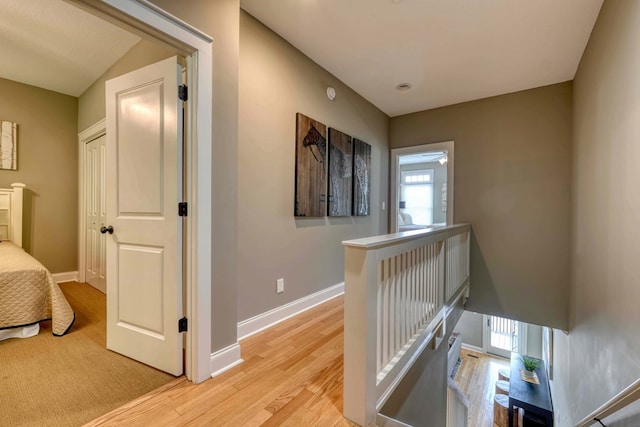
[476,378]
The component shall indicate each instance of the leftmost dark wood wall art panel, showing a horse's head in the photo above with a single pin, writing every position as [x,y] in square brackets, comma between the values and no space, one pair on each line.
[311,161]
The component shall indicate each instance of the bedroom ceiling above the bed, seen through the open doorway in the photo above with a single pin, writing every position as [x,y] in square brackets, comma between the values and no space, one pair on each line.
[54,45]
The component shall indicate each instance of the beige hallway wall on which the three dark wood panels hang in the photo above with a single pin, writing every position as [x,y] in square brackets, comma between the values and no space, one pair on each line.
[276,82]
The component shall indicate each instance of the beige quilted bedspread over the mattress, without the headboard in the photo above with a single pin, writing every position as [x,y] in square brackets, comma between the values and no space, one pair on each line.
[28,293]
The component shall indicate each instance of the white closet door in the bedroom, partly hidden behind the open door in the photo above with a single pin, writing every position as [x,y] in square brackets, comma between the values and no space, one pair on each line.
[95,198]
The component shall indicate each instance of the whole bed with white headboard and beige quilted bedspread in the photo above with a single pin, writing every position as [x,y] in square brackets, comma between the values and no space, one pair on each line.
[28,293]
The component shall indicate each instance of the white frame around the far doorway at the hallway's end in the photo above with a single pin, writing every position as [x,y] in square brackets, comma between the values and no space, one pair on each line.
[395,177]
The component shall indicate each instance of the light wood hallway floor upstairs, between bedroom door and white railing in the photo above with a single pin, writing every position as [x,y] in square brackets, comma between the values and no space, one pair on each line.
[291,375]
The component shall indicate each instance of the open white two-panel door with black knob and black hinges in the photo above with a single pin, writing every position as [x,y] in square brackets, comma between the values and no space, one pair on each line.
[144,249]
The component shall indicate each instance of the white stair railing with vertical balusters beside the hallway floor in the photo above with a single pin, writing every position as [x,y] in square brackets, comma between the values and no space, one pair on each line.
[398,288]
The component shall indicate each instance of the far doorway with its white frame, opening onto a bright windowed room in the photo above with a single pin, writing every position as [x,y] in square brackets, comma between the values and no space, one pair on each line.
[421,187]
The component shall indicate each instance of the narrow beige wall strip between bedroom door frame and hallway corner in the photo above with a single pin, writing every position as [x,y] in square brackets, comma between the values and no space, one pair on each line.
[220,19]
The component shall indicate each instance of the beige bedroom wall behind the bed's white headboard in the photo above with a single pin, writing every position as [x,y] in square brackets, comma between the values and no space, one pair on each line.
[48,165]
